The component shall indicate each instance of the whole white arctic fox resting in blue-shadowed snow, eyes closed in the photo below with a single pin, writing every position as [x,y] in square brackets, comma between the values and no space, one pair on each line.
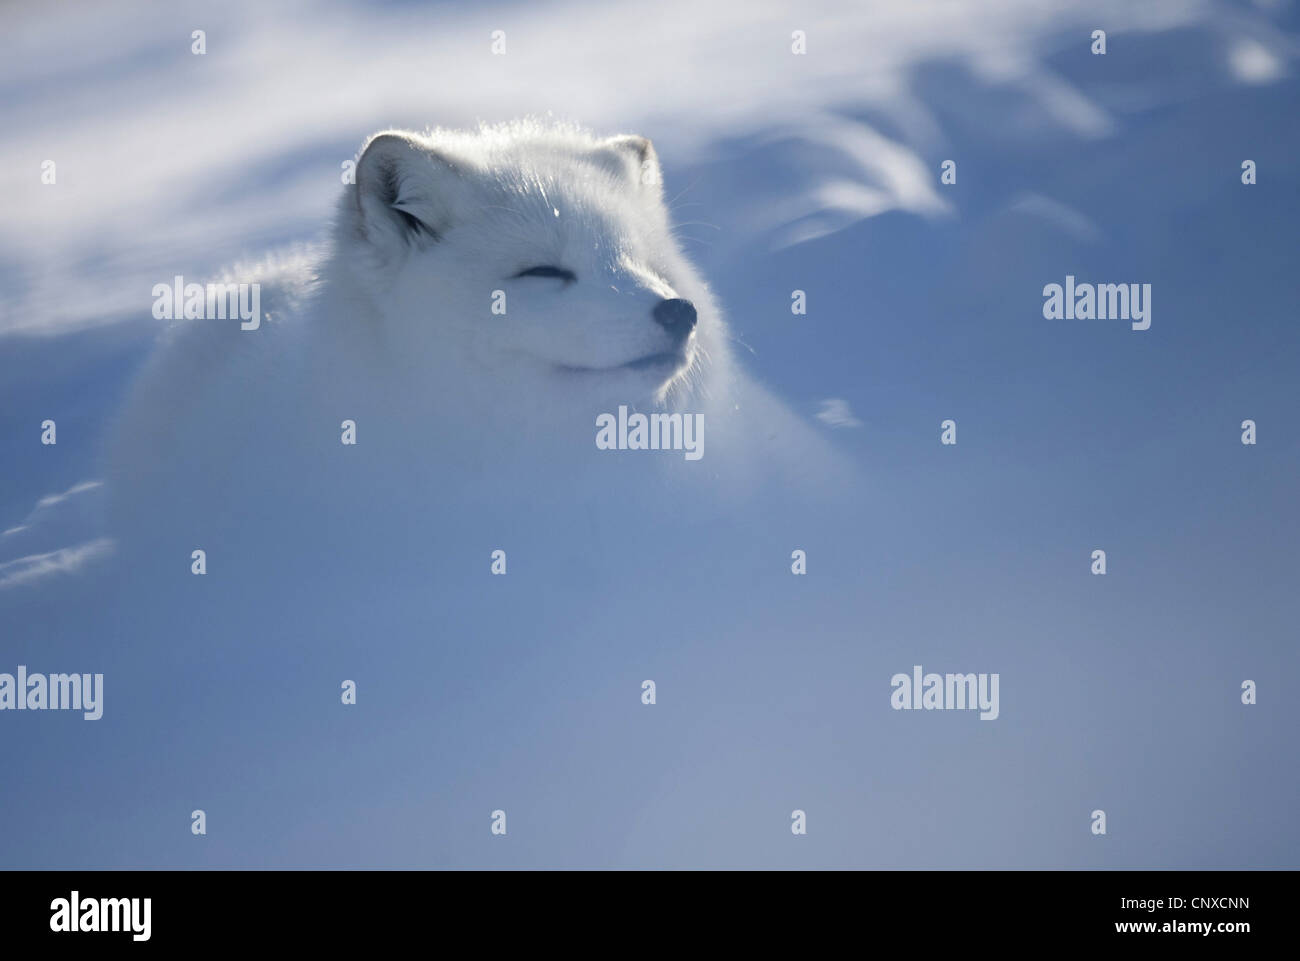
[487,302]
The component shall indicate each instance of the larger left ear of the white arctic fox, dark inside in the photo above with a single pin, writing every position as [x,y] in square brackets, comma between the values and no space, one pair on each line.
[404,192]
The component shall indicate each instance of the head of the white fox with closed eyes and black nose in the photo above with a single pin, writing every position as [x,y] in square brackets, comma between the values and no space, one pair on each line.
[530,252]
